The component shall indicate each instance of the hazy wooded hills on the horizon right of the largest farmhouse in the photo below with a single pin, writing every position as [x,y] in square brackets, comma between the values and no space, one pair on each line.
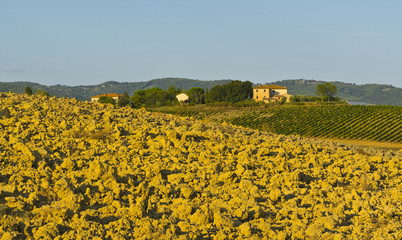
[379,94]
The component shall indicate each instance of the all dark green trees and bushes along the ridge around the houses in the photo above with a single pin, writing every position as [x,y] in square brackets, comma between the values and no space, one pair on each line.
[235,92]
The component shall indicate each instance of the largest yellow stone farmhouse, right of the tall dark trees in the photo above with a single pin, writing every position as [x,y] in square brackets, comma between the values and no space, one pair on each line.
[270,93]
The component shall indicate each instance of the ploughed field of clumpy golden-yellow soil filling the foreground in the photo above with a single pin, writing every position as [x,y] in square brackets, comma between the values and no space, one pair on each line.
[76,170]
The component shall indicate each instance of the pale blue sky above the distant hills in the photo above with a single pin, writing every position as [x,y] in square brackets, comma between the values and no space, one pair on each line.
[92,41]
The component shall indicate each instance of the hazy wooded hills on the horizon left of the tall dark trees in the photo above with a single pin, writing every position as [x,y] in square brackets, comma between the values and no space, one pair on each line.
[85,92]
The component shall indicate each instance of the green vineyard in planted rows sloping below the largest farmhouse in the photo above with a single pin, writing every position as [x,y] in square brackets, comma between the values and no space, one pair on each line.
[373,123]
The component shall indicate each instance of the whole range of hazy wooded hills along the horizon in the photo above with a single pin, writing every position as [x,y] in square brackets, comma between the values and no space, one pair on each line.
[379,94]
